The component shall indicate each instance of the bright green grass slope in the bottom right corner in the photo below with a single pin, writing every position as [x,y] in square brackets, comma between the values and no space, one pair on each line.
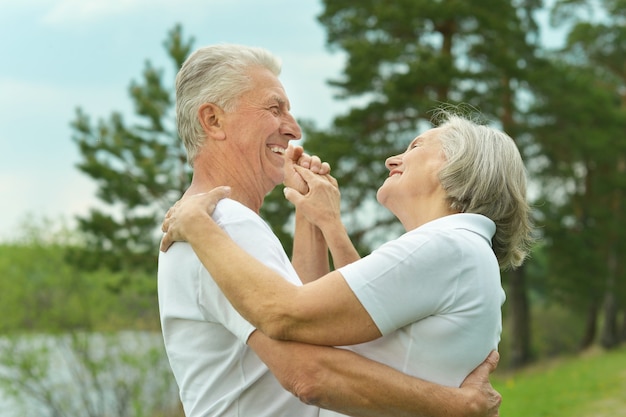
[592,384]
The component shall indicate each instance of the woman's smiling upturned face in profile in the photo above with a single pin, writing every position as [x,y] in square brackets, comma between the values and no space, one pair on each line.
[413,186]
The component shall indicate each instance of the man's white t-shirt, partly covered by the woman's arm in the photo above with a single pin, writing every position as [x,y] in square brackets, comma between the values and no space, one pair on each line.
[205,338]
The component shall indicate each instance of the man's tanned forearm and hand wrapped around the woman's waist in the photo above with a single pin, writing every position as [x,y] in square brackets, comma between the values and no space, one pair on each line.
[343,381]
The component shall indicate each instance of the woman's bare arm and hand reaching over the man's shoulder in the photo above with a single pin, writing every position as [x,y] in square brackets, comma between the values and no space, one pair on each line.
[324,312]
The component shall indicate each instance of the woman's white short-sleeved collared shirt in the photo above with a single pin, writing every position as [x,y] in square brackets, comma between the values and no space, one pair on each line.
[435,294]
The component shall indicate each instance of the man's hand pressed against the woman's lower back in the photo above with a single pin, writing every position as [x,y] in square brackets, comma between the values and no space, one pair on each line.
[484,400]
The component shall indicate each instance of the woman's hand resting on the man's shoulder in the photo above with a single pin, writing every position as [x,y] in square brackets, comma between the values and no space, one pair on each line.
[183,216]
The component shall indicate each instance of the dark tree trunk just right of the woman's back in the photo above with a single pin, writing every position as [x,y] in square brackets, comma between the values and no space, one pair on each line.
[520,318]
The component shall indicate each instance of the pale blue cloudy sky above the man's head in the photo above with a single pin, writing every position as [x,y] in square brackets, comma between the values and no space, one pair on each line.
[58,55]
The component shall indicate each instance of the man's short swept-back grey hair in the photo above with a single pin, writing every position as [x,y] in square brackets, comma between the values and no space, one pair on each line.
[216,74]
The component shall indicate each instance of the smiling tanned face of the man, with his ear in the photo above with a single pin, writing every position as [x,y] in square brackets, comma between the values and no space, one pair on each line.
[260,128]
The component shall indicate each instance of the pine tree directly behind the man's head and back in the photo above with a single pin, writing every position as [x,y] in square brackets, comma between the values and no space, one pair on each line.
[140,169]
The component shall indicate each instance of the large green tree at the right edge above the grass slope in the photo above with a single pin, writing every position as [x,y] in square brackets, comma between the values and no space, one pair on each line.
[585,162]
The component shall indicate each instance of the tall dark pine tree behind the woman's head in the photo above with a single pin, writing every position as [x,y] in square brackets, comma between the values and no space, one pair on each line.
[405,58]
